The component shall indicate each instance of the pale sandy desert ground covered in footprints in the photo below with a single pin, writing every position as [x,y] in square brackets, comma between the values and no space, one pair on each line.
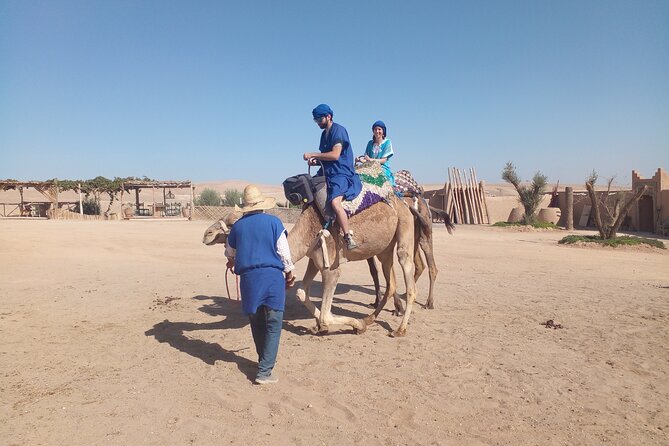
[119,332]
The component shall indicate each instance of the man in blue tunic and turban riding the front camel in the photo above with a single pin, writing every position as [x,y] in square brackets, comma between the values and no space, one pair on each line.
[336,156]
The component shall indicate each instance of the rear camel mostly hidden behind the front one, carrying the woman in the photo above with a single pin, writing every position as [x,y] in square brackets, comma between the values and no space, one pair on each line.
[422,241]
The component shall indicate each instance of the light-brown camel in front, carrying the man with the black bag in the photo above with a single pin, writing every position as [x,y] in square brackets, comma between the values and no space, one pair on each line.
[379,229]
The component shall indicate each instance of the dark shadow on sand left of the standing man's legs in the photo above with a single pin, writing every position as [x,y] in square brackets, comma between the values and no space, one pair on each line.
[172,333]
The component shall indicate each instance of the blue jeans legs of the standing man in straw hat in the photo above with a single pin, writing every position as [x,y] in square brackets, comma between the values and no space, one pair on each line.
[266,329]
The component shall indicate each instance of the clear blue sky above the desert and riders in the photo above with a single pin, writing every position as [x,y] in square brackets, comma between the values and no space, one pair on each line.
[212,90]
